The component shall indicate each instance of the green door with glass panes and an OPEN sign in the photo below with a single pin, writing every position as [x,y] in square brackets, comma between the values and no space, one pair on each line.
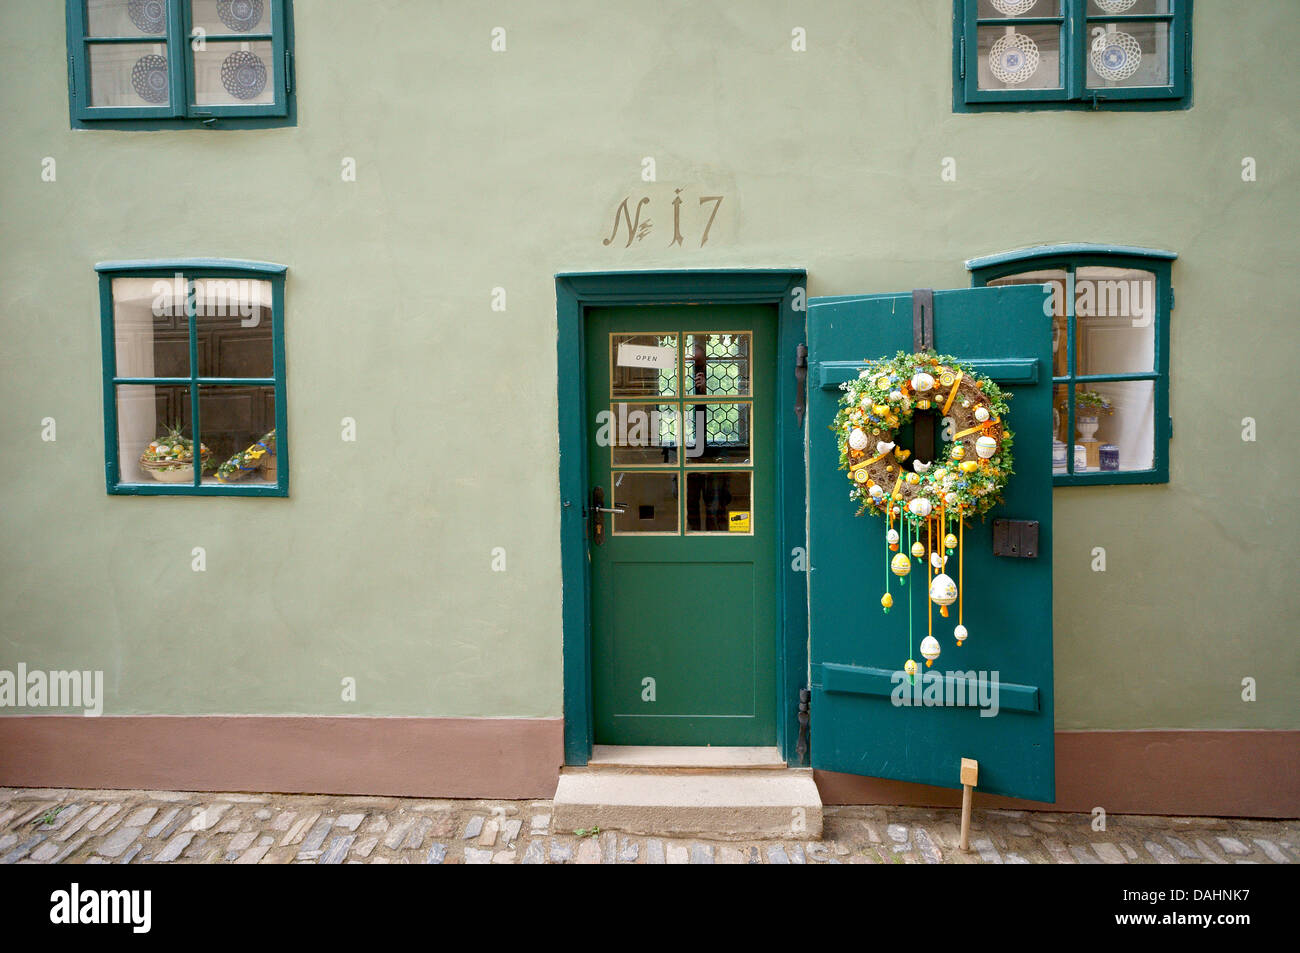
[681,411]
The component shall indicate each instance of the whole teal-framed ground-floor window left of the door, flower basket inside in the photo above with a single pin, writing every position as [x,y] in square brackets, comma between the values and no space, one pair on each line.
[194,378]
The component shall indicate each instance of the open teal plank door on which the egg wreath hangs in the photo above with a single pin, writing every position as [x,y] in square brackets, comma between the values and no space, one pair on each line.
[859,725]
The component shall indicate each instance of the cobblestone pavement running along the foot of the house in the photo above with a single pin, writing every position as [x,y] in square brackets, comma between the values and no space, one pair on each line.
[46,826]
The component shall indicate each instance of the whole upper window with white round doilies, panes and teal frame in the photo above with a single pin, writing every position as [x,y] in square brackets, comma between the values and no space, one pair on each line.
[1072,54]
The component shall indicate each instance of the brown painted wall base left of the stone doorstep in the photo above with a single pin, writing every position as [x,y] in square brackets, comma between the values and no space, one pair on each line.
[421,757]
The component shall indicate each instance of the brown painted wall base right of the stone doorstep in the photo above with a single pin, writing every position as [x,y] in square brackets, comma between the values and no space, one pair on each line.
[1245,774]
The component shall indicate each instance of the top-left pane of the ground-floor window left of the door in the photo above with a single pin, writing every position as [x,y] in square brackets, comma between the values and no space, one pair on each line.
[151,335]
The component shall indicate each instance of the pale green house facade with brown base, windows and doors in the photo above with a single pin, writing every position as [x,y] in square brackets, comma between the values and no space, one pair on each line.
[388,272]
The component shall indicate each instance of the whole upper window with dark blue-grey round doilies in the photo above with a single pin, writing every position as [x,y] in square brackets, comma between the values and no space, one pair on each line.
[166,63]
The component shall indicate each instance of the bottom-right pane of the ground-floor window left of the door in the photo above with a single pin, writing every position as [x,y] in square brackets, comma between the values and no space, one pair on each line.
[240,426]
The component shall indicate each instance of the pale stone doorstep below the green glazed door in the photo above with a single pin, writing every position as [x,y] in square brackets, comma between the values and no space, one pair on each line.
[733,804]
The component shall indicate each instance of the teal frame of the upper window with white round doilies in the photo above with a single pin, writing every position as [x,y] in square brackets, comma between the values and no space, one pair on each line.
[1076,24]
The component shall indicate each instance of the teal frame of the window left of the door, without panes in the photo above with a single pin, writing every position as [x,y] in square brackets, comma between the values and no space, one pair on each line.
[190,270]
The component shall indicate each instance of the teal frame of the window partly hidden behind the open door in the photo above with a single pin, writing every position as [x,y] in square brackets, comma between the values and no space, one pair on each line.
[1069,258]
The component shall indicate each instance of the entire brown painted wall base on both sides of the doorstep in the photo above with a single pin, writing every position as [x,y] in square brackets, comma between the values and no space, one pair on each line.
[1194,773]
